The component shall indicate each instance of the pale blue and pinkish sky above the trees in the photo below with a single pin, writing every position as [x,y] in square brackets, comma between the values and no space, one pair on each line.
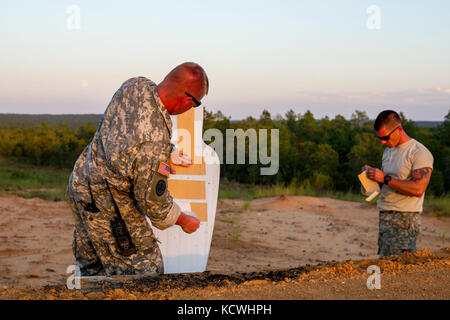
[329,57]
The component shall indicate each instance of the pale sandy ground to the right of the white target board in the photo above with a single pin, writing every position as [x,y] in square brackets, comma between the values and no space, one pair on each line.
[285,232]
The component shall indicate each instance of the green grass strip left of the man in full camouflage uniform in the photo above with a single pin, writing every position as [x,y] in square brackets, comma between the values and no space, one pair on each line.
[30,181]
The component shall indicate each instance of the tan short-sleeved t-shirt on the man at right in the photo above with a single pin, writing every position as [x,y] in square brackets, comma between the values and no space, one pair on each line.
[399,162]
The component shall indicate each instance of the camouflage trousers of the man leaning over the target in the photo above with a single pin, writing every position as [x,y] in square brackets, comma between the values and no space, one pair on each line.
[97,254]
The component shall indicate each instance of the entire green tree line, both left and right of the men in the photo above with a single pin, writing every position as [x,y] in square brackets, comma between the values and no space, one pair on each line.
[319,153]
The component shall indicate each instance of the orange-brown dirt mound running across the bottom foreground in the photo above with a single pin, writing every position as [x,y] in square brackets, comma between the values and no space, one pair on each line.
[271,284]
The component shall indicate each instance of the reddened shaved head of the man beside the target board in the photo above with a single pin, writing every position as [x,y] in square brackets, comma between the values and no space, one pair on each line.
[187,77]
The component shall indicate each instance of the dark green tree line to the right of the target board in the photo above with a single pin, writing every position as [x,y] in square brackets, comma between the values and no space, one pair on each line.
[327,154]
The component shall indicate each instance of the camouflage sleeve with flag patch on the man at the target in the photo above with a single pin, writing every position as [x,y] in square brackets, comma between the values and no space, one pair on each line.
[150,188]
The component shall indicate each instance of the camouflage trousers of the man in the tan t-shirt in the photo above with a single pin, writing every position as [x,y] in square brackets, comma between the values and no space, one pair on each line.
[398,231]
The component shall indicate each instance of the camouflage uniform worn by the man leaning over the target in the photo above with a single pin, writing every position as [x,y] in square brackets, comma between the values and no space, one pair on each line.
[131,141]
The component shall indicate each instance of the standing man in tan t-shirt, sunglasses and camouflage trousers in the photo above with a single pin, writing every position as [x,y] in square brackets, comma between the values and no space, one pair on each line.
[405,174]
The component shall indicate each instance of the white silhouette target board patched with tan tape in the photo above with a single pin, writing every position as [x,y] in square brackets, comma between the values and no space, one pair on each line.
[195,189]
